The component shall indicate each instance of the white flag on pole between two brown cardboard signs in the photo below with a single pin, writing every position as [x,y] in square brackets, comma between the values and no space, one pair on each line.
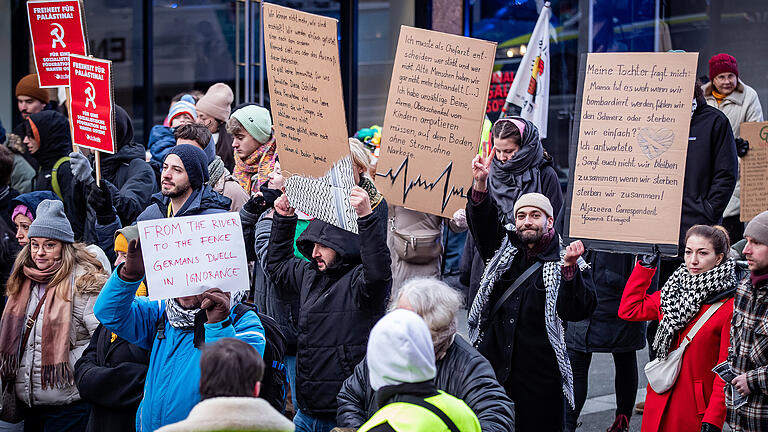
[530,88]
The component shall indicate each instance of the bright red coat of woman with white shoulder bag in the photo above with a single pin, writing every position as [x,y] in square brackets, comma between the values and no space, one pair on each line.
[697,395]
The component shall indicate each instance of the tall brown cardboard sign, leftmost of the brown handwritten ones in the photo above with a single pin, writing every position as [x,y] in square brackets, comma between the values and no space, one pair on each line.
[302,59]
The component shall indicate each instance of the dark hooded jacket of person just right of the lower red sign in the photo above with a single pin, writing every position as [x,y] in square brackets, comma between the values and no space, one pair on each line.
[129,178]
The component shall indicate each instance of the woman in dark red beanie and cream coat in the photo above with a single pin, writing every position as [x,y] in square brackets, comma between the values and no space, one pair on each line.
[739,102]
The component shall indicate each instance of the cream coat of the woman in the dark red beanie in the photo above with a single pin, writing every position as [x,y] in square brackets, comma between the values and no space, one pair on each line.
[740,106]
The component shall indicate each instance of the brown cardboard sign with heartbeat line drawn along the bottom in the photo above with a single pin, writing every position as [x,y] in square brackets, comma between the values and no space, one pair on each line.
[434,118]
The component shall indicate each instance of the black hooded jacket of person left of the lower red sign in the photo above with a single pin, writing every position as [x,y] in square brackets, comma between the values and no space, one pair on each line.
[56,143]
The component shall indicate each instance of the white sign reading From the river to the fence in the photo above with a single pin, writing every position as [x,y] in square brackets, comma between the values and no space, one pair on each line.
[187,255]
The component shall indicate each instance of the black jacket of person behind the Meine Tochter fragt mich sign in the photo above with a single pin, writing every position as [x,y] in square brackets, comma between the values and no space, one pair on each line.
[711,169]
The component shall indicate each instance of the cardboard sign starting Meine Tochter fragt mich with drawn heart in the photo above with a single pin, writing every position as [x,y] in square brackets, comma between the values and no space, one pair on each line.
[628,151]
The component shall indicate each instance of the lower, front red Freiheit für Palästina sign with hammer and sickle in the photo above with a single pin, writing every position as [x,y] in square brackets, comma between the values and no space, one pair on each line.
[92,111]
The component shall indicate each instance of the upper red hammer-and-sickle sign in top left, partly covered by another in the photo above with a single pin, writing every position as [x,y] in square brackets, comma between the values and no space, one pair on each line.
[57,29]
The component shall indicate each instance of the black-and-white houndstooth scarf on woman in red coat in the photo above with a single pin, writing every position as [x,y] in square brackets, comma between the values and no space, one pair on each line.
[682,296]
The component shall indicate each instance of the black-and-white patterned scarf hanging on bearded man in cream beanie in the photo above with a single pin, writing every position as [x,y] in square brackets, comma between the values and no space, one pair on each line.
[478,314]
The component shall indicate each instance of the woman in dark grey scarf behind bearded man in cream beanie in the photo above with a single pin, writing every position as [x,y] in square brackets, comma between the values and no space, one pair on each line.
[518,165]
